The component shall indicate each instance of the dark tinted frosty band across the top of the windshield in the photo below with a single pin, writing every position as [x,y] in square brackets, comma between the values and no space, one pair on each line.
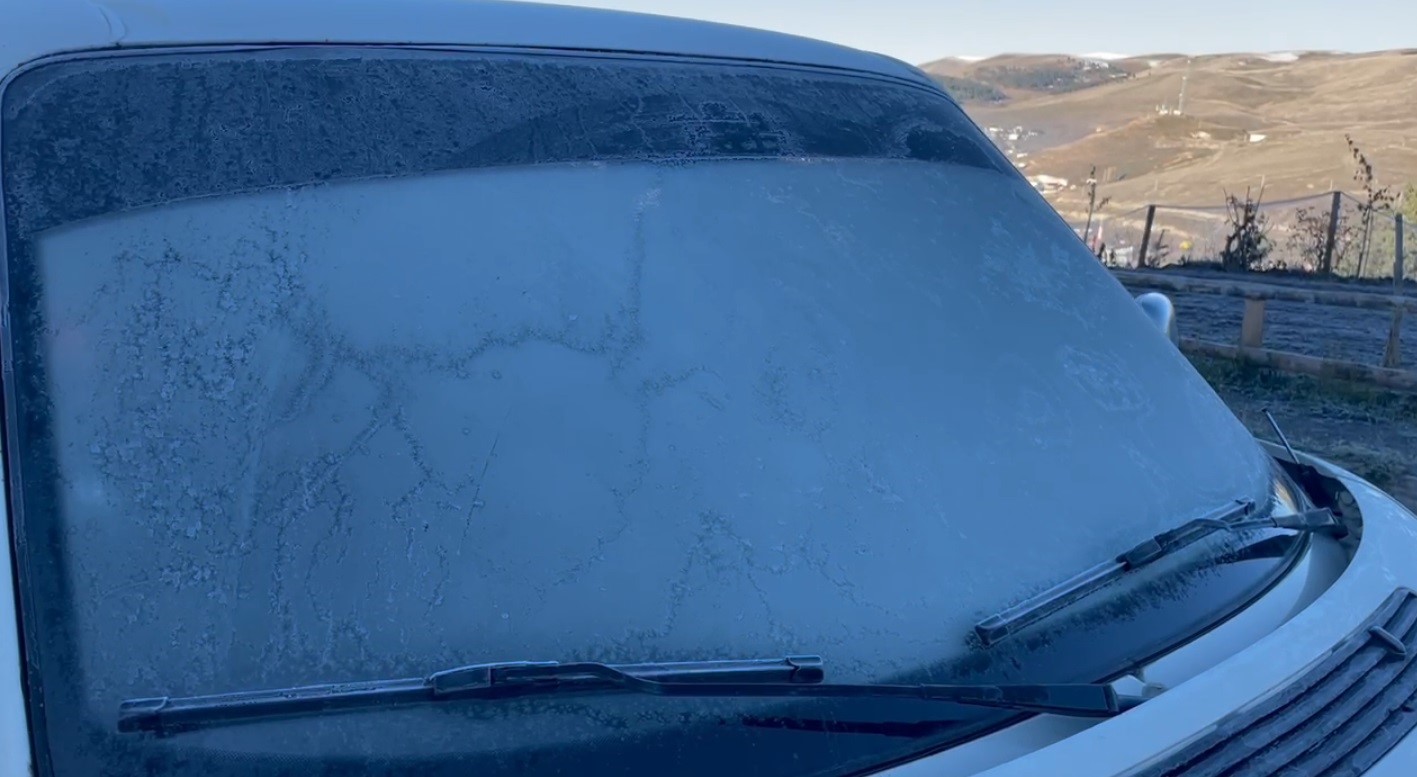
[100,140]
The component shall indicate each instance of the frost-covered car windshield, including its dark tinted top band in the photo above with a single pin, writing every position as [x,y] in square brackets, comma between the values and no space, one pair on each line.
[337,365]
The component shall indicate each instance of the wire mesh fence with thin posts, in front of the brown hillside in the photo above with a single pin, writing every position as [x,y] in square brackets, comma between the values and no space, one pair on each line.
[1304,236]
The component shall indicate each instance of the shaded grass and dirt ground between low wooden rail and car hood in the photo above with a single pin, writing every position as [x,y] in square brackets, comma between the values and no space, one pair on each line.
[1370,432]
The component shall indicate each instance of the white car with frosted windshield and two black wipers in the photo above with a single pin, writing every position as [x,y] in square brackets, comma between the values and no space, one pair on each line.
[457,388]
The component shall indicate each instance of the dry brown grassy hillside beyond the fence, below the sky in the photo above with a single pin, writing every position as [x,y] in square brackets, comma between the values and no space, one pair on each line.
[1178,130]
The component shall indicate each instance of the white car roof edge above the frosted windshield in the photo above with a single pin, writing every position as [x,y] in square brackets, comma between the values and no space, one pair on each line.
[35,29]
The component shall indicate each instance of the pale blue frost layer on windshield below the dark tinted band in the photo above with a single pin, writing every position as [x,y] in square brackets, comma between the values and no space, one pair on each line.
[600,413]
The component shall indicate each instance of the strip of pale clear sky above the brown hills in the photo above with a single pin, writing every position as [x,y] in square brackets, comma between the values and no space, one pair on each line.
[923,30]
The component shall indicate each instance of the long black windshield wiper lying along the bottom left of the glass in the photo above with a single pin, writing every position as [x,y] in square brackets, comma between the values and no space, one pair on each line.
[753,678]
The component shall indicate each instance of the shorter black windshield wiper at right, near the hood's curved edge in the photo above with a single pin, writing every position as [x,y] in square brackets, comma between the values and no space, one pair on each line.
[1232,518]
